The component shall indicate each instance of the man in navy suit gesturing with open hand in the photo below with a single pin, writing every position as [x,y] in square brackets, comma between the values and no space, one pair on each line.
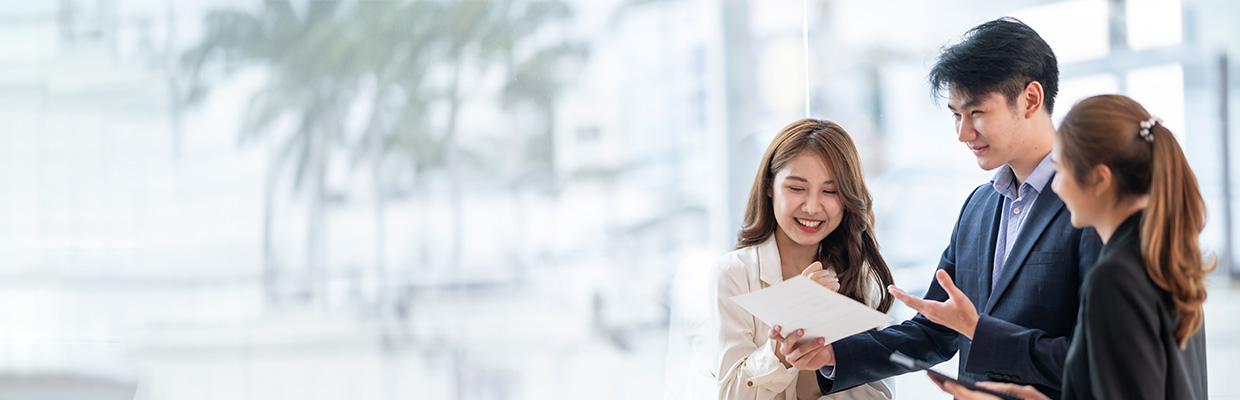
[1006,290]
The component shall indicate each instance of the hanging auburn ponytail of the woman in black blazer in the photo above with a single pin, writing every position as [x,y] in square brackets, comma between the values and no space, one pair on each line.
[1174,220]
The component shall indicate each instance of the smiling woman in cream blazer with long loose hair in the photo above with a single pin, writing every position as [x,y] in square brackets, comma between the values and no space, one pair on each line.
[808,215]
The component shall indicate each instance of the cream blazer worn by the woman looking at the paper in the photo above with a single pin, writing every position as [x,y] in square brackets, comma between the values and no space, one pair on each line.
[746,363]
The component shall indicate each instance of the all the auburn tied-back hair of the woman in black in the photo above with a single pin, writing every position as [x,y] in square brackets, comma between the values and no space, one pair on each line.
[1104,131]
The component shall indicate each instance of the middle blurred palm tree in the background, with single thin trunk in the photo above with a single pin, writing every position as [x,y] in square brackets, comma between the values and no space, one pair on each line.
[405,43]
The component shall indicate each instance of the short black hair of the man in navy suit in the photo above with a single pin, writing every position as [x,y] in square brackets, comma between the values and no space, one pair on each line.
[1000,56]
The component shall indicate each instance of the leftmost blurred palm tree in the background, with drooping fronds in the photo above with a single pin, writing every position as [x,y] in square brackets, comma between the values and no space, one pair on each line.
[312,74]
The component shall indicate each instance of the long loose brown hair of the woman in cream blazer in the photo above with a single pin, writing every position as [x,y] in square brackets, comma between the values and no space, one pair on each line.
[851,248]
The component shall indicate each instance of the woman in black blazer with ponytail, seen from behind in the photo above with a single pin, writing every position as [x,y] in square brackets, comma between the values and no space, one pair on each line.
[1139,333]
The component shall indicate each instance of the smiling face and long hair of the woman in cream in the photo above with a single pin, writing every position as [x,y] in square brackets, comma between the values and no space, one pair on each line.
[812,172]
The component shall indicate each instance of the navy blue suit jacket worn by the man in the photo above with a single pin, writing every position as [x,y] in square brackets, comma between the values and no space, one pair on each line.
[1026,318]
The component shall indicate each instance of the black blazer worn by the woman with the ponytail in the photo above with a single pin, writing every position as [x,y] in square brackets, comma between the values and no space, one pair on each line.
[1125,342]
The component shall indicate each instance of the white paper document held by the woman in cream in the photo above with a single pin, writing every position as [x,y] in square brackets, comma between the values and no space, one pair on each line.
[803,304]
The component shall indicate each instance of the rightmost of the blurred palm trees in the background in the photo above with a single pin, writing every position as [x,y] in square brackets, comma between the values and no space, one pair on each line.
[508,34]
